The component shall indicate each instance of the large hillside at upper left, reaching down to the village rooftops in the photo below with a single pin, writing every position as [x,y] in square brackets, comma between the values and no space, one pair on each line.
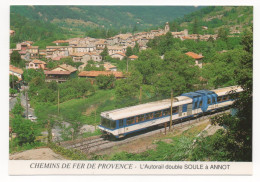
[59,22]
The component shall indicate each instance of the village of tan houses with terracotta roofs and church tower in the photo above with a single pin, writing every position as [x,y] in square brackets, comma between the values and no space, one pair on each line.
[83,50]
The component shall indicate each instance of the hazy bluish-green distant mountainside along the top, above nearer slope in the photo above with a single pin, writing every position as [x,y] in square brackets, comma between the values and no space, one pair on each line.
[103,16]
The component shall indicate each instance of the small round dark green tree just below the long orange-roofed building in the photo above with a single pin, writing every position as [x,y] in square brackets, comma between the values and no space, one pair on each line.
[105,82]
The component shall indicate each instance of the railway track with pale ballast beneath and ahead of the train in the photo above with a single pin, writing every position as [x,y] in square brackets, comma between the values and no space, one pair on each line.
[97,143]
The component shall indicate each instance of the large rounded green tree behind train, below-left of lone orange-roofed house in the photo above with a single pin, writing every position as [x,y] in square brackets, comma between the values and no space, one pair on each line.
[179,74]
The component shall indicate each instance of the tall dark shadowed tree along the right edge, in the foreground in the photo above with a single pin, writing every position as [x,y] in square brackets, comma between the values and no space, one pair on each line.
[239,126]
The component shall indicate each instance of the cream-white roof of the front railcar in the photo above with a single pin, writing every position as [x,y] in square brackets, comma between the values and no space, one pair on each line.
[145,108]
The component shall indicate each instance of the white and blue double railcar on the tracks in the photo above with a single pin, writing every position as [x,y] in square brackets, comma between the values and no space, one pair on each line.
[120,122]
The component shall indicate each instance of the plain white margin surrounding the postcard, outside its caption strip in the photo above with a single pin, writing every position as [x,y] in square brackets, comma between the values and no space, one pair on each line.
[4,9]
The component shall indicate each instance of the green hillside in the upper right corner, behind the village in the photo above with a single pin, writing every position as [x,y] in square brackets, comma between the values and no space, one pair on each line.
[234,18]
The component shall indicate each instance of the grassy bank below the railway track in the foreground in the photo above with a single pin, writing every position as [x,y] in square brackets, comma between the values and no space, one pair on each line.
[177,150]
